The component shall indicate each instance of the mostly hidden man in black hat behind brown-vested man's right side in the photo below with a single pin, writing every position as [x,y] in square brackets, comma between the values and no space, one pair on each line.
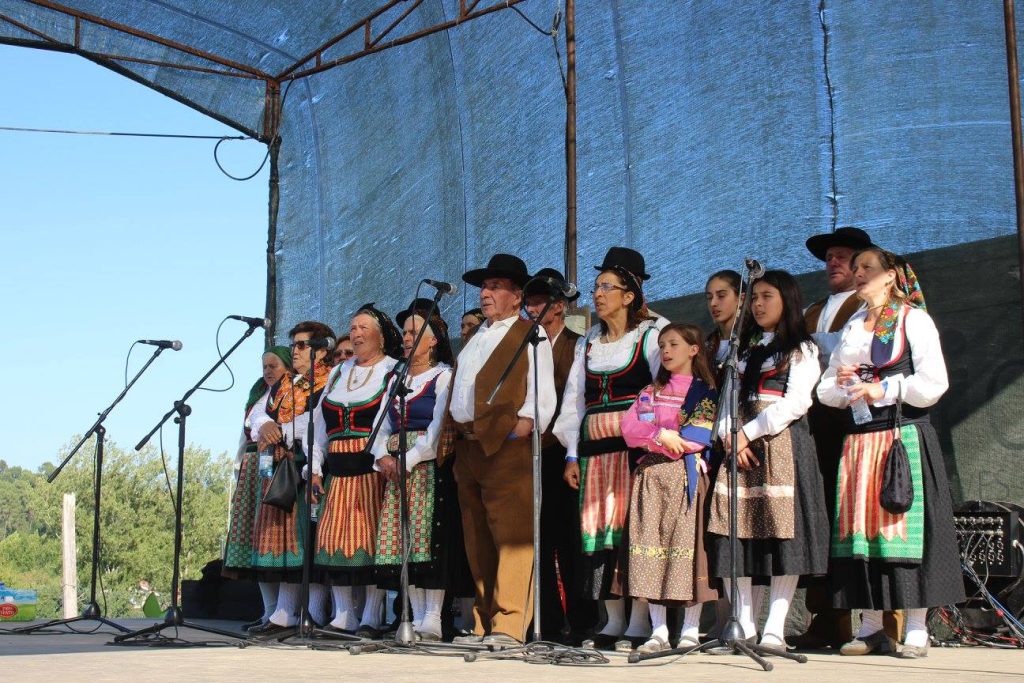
[561,510]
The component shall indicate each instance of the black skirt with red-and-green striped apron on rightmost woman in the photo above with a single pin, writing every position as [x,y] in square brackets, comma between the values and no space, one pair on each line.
[886,562]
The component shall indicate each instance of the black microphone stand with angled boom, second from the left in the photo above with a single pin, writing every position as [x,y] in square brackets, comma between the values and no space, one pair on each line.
[174,618]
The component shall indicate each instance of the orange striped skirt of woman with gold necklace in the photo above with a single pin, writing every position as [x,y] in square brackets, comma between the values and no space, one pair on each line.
[347,537]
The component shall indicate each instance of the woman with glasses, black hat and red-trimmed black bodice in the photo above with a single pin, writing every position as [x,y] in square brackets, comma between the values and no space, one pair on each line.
[615,362]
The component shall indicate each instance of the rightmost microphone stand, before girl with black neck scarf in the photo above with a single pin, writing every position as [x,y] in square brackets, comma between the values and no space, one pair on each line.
[732,641]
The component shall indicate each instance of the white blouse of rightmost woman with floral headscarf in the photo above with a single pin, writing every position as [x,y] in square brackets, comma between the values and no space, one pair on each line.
[922,390]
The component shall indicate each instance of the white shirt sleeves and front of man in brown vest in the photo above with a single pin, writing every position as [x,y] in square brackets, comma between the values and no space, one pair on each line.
[476,355]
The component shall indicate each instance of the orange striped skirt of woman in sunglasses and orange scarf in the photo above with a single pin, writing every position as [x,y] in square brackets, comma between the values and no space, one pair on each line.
[279,537]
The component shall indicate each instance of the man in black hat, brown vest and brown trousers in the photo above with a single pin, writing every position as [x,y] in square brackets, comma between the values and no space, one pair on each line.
[494,462]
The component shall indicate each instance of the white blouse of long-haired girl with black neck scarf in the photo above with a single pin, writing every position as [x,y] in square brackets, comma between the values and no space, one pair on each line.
[785,410]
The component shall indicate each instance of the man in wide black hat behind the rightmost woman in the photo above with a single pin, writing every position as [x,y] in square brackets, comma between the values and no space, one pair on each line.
[826,320]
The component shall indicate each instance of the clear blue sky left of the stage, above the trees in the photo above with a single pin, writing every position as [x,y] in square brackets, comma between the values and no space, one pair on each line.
[109,240]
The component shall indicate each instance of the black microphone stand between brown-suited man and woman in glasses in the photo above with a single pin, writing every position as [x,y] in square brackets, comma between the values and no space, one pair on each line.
[538,650]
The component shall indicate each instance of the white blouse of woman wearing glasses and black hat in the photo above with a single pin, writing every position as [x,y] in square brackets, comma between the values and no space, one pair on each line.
[603,358]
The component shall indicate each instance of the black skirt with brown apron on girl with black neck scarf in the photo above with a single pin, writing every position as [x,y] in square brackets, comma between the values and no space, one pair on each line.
[784,528]
